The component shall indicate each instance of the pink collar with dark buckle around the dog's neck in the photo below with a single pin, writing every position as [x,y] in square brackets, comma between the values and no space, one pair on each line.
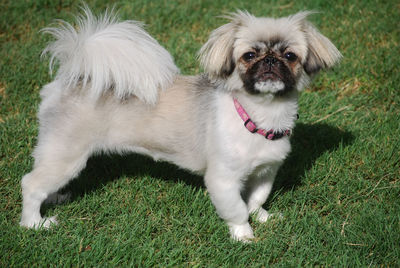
[251,126]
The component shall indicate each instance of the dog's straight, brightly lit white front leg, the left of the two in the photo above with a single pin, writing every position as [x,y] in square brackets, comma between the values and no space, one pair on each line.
[224,186]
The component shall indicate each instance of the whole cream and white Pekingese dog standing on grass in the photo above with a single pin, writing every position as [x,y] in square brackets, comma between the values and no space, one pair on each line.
[118,90]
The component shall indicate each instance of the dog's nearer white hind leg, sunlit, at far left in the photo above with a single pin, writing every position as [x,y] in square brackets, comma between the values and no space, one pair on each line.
[56,163]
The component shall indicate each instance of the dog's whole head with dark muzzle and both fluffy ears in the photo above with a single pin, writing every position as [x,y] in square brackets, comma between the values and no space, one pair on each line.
[265,55]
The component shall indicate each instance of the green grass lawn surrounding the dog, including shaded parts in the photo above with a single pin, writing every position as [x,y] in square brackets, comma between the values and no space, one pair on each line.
[339,190]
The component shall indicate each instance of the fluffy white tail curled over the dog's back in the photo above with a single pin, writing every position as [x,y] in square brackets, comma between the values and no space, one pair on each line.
[103,54]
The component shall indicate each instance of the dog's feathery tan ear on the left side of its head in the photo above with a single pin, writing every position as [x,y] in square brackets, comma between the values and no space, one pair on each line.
[216,54]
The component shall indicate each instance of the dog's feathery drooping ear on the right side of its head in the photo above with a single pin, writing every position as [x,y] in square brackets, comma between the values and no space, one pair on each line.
[322,53]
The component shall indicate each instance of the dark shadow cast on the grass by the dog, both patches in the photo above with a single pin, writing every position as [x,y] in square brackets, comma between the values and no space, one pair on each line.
[308,143]
